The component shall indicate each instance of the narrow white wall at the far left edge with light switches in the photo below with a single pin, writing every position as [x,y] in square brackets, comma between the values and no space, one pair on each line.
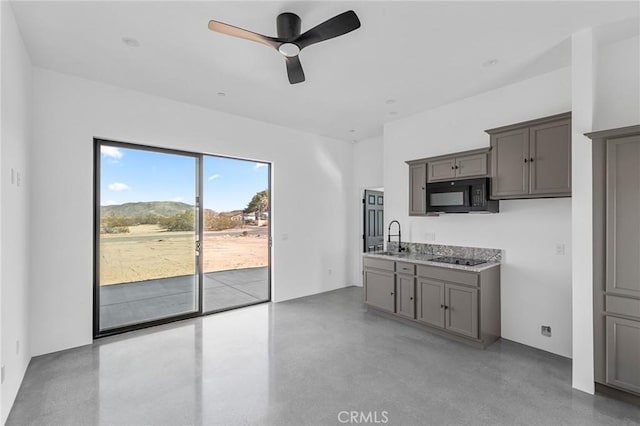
[14,275]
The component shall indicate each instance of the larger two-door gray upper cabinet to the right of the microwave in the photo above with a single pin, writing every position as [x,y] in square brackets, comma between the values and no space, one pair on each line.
[532,159]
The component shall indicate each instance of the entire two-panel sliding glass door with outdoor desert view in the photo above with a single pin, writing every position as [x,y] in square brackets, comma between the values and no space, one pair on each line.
[177,235]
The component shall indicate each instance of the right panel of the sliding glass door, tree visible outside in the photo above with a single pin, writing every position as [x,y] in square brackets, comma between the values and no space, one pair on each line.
[236,233]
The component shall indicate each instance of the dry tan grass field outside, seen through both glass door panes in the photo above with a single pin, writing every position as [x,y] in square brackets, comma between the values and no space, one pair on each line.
[148,252]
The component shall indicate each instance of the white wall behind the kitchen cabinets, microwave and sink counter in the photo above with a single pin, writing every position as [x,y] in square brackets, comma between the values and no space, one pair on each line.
[536,283]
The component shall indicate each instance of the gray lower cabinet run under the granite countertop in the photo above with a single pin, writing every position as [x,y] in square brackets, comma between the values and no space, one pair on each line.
[455,301]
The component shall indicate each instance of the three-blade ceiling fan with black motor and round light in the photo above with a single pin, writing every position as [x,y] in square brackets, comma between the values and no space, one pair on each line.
[289,41]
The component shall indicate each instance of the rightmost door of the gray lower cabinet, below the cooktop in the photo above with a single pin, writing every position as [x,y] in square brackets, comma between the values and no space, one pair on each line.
[461,309]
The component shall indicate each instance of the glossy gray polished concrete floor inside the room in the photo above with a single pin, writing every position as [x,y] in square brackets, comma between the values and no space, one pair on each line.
[301,362]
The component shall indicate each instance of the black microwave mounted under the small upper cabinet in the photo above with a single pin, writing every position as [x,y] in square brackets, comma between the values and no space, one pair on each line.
[461,196]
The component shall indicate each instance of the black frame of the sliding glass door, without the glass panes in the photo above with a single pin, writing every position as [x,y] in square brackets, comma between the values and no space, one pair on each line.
[199,223]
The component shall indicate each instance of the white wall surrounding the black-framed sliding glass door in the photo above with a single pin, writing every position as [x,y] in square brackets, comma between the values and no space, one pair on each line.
[311,193]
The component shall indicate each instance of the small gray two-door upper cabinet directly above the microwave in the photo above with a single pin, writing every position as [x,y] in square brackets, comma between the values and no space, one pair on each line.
[457,166]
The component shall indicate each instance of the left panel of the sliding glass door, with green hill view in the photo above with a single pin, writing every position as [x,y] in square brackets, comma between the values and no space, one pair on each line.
[147,264]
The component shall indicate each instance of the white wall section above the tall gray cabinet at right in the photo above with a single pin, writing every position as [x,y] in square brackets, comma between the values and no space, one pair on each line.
[617,88]
